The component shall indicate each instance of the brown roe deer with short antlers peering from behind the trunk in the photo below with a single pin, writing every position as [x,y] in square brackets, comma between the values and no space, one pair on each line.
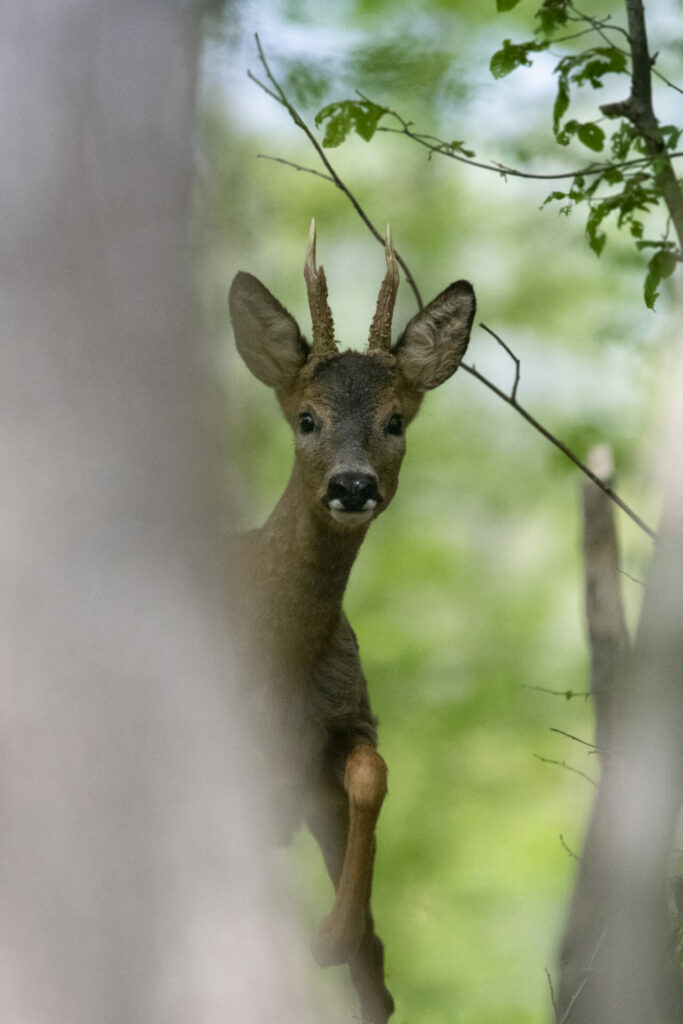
[349,412]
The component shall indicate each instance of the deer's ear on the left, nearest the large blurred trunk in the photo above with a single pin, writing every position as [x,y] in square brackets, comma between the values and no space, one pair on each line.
[268,337]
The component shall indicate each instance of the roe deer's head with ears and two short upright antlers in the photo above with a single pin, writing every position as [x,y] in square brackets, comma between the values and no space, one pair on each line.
[350,411]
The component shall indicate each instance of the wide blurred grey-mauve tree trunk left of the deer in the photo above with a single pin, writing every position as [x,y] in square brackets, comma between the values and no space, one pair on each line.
[130,882]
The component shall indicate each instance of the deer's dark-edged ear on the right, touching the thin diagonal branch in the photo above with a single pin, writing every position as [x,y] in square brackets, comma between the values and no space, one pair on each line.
[435,343]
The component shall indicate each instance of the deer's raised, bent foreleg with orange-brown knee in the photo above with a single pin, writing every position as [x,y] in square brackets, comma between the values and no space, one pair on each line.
[341,932]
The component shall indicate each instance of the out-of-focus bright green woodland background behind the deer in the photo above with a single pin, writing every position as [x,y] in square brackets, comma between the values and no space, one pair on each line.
[467,598]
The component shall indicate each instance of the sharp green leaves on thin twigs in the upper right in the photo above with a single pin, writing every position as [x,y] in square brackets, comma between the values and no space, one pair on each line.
[625,186]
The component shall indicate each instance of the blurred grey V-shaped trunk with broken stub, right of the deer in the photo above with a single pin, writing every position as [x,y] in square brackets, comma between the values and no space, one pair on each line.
[618,958]
